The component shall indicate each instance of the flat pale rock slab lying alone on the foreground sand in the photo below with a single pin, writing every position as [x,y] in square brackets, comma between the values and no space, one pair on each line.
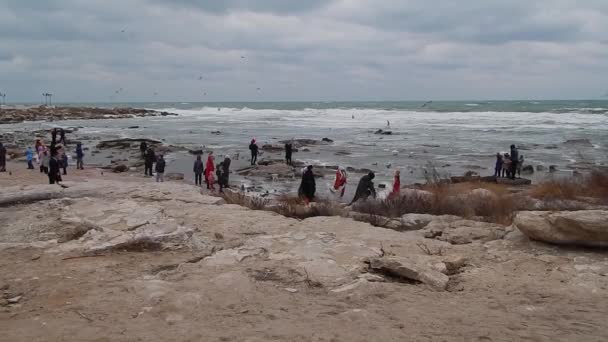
[412,269]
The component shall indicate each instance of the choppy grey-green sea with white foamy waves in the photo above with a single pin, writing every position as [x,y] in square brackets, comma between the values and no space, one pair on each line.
[452,137]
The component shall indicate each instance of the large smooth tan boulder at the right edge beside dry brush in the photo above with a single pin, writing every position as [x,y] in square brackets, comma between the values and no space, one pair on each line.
[583,227]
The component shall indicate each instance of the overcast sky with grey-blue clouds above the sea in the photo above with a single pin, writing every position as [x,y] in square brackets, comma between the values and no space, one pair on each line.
[86,50]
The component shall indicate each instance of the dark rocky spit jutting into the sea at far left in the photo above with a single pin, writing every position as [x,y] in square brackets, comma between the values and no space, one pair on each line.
[51,113]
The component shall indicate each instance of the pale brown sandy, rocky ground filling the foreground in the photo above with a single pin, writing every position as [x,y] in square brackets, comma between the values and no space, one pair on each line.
[510,290]
